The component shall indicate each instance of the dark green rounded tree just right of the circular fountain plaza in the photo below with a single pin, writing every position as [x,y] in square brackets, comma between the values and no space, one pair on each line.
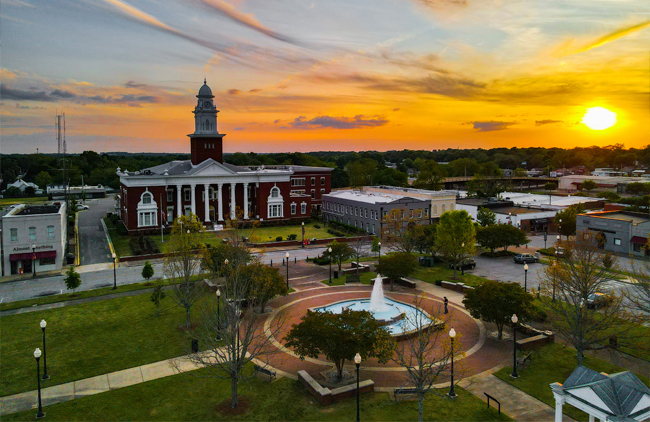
[496,302]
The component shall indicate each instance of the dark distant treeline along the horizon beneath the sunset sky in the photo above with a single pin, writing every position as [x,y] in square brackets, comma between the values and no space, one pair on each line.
[350,168]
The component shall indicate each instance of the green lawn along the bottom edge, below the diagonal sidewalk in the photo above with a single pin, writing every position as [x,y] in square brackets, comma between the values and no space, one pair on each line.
[188,397]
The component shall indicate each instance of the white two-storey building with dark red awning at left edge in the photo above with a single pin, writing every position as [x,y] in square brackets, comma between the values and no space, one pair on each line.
[34,236]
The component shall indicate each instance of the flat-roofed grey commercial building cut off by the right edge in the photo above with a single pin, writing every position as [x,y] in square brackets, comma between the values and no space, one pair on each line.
[620,232]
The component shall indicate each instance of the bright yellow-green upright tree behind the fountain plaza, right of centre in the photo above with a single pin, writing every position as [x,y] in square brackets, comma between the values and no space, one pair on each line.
[455,236]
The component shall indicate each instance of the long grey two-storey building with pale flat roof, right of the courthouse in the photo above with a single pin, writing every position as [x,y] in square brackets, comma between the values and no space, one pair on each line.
[366,210]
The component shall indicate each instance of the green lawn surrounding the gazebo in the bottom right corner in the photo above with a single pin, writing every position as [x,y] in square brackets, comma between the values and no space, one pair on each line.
[553,363]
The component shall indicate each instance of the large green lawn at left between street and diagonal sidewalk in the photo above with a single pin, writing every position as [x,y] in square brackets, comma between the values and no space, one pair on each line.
[90,339]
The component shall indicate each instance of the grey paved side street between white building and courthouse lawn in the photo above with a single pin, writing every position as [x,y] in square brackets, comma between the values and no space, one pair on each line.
[93,246]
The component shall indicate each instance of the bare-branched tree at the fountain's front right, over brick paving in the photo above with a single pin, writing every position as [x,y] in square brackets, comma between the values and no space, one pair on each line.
[425,356]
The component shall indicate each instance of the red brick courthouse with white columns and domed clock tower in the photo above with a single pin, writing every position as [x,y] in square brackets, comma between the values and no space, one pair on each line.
[159,194]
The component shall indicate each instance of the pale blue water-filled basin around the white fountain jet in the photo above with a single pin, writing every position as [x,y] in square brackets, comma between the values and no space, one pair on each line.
[397,317]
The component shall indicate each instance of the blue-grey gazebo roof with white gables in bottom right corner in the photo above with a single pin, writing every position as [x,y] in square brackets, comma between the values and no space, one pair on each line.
[621,395]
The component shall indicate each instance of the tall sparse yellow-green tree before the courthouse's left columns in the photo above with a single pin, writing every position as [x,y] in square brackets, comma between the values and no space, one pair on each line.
[185,252]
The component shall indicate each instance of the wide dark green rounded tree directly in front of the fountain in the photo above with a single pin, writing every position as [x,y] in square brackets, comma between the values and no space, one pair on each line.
[339,337]
